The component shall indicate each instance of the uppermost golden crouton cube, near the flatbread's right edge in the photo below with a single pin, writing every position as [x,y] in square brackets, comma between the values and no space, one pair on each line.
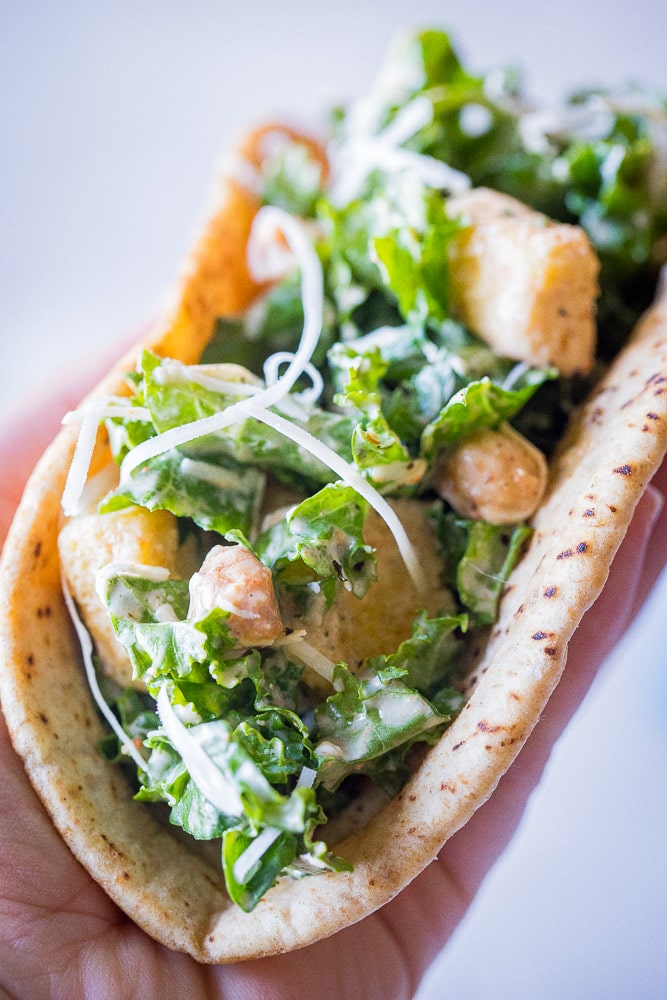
[524,284]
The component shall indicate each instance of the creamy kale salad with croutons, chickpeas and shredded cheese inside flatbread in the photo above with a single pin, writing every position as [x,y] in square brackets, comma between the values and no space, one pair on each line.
[310,529]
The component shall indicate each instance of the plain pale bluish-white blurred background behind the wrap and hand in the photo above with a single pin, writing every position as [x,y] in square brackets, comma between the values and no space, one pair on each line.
[111,119]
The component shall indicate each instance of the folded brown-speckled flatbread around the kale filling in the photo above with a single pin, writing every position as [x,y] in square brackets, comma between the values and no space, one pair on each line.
[167,885]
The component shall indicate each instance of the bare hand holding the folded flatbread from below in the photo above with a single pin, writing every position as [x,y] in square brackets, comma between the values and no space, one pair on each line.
[62,937]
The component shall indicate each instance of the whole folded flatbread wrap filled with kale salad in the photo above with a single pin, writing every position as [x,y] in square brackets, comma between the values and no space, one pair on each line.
[288,593]
